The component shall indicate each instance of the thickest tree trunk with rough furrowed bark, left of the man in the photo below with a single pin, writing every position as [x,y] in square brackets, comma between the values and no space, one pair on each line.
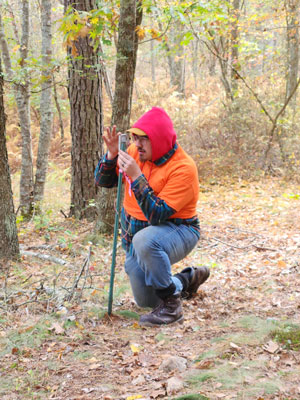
[85,95]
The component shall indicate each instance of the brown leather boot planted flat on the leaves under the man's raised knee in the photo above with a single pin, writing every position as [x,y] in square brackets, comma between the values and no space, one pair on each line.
[167,312]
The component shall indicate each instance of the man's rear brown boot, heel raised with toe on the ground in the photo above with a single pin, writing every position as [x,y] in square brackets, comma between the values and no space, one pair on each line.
[192,278]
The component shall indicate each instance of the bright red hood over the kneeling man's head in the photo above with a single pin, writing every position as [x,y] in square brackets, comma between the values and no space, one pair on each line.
[159,128]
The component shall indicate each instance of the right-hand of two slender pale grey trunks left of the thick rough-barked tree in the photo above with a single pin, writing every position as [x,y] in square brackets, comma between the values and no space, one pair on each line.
[45,103]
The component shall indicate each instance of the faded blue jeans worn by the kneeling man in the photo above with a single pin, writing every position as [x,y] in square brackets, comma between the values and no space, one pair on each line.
[155,249]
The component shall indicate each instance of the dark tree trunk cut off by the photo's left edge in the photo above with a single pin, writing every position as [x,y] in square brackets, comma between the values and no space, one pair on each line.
[9,245]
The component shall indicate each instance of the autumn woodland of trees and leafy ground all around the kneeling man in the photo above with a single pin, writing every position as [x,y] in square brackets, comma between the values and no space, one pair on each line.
[228,74]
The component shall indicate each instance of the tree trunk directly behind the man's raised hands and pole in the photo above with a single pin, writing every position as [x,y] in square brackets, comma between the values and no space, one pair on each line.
[130,18]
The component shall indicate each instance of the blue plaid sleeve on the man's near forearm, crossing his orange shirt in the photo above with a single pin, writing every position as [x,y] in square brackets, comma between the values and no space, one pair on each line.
[155,209]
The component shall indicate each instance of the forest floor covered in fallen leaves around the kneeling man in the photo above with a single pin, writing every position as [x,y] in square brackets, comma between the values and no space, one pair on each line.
[240,337]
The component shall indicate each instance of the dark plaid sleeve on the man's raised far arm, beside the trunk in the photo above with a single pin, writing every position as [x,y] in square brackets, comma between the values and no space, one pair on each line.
[105,173]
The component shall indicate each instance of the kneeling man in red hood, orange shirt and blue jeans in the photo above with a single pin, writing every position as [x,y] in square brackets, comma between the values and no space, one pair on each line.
[159,221]
